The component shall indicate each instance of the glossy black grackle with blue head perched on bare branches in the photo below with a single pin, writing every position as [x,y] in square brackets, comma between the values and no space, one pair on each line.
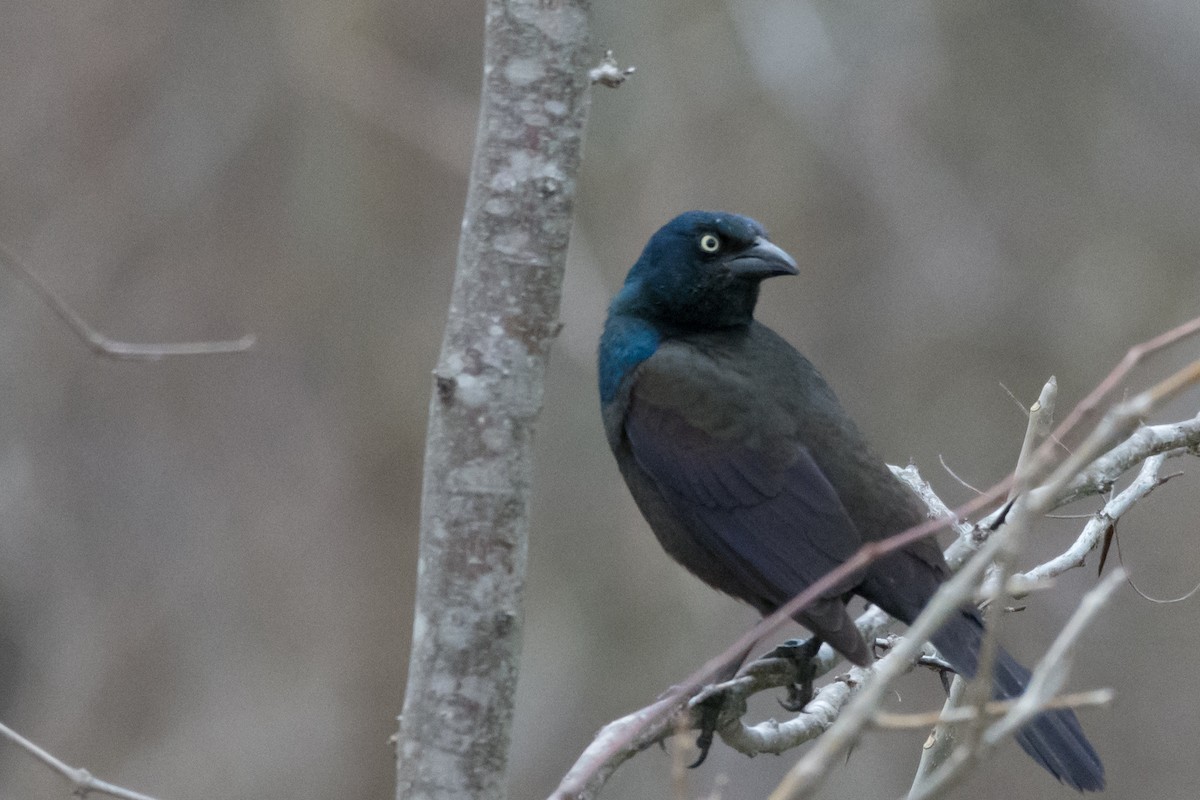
[753,477]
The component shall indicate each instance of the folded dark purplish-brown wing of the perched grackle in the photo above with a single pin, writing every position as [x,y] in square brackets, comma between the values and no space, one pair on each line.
[727,461]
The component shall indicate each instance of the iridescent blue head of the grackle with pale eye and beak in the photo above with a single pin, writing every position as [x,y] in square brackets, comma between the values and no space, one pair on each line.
[703,272]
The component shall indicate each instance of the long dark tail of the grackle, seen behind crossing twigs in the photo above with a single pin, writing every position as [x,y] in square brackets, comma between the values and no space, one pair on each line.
[1054,739]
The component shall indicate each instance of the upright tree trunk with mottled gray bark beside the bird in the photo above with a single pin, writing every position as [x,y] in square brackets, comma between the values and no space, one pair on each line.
[455,727]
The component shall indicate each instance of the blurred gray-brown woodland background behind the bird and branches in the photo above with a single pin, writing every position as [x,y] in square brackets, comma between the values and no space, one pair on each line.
[207,566]
